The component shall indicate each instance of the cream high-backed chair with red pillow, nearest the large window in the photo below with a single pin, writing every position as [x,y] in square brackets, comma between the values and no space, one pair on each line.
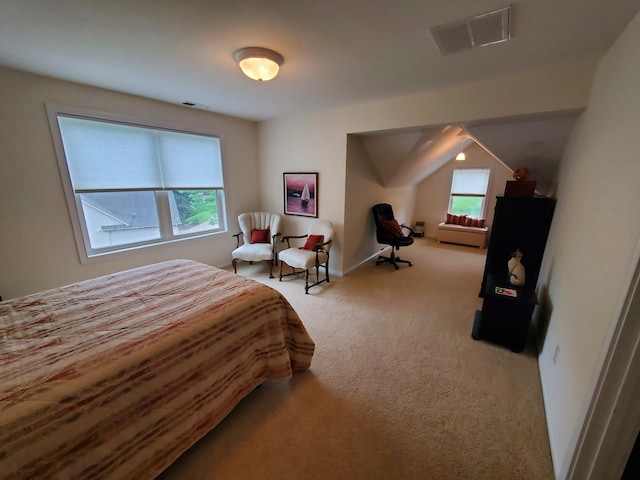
[249,251]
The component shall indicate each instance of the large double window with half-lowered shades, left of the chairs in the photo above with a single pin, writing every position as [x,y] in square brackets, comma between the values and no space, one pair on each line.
[130,186]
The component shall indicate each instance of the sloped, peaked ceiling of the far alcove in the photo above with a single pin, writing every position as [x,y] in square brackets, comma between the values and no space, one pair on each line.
[537,142]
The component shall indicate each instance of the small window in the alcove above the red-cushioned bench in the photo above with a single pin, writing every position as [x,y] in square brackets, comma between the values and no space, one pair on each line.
[469,191]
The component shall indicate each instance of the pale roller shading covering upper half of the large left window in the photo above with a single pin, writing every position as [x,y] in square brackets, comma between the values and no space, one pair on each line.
[109,156]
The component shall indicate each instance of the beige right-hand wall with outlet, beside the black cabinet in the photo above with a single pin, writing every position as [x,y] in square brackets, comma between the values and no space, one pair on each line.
[593,244]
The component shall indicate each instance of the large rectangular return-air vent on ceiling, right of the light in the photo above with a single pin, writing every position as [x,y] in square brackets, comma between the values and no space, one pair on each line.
[479,31]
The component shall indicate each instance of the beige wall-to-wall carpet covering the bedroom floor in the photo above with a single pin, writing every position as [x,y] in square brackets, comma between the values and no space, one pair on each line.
[397,389]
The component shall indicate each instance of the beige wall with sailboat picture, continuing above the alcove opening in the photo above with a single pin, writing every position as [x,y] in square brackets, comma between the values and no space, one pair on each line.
[318,141]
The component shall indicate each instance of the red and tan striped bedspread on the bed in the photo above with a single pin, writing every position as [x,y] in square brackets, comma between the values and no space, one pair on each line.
[116,377]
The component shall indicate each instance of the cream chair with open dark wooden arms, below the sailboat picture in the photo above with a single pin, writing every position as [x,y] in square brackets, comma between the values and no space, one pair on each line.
[310,256]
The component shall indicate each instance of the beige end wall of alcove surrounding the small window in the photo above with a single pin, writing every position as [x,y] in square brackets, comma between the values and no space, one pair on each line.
[432,198]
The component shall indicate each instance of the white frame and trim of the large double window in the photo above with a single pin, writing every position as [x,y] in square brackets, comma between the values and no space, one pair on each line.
[86,252]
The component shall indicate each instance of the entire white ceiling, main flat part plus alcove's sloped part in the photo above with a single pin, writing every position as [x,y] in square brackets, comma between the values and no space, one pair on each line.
[337,52]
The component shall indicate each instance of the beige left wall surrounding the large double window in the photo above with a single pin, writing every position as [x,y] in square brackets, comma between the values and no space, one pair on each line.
[37,246]
